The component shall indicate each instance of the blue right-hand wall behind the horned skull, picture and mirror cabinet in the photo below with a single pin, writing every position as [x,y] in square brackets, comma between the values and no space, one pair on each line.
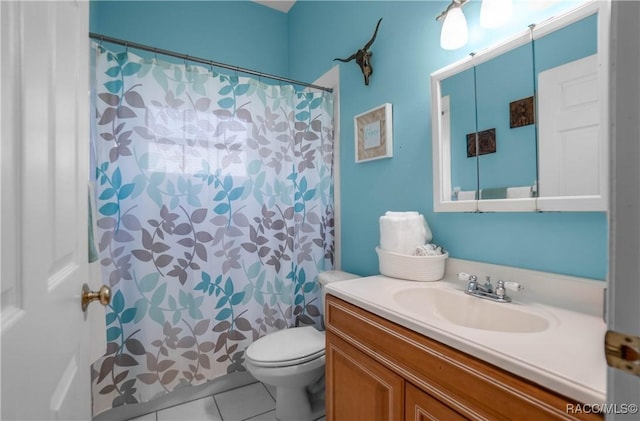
[405,53]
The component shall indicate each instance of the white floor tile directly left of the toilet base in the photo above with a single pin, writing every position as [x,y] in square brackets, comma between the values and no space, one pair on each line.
[244,402]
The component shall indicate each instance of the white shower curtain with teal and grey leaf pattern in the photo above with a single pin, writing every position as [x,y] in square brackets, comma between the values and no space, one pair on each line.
[215,215]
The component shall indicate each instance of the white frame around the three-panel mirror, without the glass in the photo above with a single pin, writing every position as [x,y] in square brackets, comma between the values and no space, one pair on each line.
[441,149]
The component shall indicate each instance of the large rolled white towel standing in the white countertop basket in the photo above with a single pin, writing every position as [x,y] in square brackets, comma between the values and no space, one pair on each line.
[402,232]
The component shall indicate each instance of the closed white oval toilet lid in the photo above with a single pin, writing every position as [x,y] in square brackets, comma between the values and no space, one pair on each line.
[287,347]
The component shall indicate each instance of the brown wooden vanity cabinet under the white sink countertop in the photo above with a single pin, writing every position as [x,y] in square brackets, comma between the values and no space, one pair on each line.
[378,370]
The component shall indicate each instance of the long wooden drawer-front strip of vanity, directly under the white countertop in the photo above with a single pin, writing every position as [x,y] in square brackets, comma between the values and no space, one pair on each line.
[466,384]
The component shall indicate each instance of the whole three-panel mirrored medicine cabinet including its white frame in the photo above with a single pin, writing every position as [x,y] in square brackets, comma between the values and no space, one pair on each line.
[529,117]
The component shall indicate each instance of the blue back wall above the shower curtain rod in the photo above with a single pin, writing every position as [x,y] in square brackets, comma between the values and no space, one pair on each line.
[240,33]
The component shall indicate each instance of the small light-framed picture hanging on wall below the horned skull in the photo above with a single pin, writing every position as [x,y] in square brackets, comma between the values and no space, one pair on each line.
[373,134]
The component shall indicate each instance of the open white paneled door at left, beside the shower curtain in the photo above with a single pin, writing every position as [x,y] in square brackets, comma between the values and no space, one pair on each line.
[44,161]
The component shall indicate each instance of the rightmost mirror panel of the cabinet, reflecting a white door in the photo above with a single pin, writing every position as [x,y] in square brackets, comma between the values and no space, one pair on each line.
[572,109]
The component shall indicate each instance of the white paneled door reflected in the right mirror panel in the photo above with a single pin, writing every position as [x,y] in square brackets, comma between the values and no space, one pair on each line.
[569,130]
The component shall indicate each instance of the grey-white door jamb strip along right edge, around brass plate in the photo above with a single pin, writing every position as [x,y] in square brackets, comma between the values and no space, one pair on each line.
[623,389]
